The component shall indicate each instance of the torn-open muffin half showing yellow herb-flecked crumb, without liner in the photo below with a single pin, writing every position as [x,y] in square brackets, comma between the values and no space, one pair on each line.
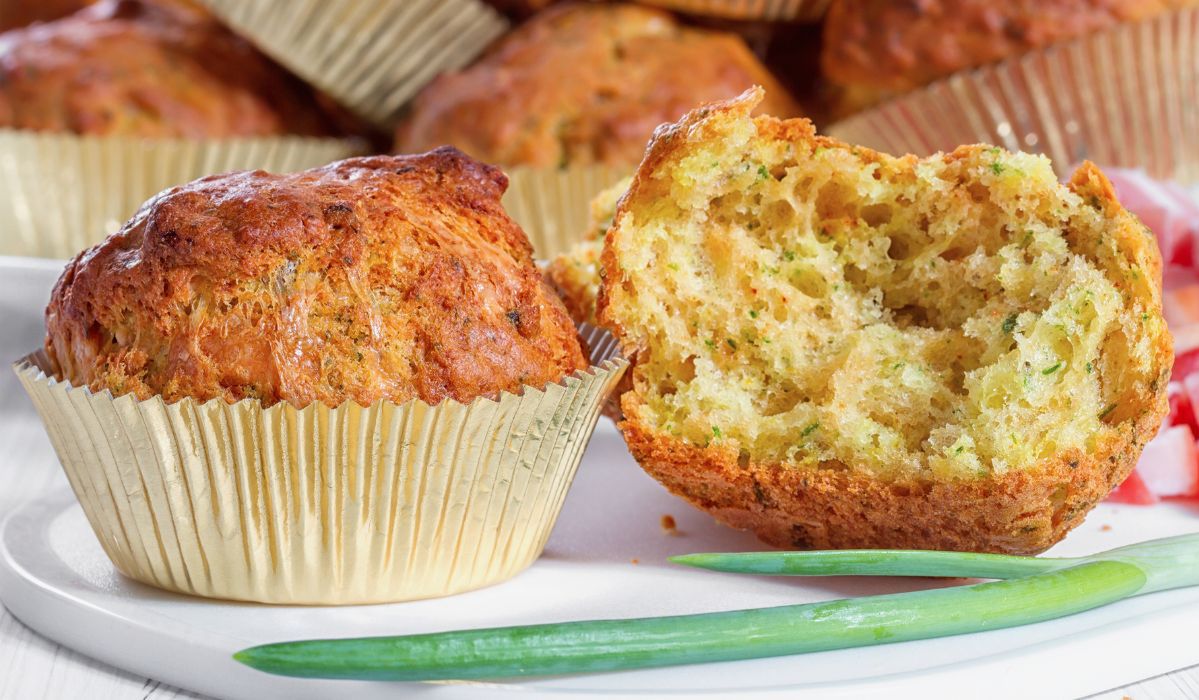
[838,348]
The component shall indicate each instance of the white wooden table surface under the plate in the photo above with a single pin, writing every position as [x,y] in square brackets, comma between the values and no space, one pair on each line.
[34,667]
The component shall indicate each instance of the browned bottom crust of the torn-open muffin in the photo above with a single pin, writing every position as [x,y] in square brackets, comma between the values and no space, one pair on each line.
[836,508]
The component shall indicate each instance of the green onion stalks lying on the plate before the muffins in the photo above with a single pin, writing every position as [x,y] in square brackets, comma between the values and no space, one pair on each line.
[608,645]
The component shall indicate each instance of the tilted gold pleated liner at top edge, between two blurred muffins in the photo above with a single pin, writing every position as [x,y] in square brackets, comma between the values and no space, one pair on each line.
[371,56]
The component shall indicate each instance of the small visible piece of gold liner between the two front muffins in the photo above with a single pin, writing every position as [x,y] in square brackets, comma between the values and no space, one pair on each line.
[555,206]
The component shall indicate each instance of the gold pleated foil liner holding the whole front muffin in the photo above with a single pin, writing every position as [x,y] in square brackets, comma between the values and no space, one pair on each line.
[320,505]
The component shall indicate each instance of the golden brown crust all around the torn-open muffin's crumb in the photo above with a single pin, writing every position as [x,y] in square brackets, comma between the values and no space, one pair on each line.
[833,505]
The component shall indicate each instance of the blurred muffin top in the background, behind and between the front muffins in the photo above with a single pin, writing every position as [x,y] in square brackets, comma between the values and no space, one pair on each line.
[582,85]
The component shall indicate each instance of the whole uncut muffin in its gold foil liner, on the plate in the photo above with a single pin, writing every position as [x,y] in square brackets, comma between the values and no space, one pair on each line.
[344,385]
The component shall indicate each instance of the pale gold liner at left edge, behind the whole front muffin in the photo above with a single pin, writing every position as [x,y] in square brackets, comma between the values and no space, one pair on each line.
[64,192]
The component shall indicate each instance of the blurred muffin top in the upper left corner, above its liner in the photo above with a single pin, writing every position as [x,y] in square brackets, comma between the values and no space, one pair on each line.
[135,68]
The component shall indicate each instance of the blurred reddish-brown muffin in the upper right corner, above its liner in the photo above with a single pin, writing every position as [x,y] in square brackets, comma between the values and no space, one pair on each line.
[878,49]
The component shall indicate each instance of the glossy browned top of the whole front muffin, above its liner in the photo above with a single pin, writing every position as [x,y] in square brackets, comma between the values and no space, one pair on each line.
[370,279]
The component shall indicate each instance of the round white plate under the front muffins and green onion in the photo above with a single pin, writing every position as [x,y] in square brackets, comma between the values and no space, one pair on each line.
[607,559]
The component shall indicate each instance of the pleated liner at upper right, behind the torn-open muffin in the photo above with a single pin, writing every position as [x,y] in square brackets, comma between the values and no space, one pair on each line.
[1123,98]
